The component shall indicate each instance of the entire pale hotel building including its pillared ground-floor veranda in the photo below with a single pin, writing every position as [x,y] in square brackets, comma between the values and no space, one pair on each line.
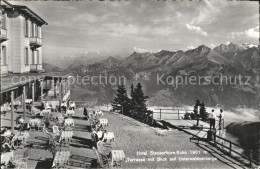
[22,77]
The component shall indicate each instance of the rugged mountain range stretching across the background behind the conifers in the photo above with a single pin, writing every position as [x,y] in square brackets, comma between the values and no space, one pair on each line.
[228,60]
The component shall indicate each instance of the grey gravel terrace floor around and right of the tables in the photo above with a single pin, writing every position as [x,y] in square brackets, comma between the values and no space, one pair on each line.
[132,137]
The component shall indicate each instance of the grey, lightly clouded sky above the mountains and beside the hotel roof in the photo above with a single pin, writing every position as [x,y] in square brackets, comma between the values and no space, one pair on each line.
[121,27]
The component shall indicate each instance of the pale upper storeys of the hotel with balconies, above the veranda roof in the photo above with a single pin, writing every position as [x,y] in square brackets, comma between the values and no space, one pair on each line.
[21,39]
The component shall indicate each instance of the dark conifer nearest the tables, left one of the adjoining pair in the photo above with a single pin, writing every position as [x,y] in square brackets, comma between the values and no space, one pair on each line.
[121,102]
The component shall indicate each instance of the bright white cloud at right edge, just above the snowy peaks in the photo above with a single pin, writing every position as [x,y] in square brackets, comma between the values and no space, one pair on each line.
[249,33]
